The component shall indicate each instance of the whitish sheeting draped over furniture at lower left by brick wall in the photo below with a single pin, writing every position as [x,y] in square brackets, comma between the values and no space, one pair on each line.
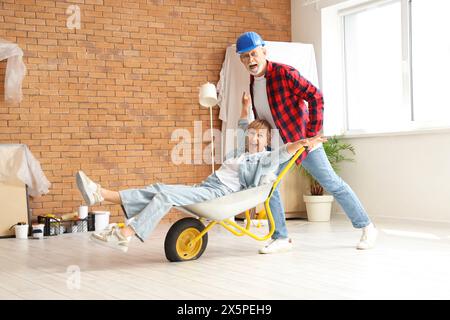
[17,163]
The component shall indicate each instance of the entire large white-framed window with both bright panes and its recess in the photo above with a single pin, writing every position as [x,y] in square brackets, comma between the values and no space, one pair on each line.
[394,56]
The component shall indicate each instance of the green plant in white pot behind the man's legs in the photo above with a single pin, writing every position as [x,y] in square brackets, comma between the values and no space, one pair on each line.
[318,205]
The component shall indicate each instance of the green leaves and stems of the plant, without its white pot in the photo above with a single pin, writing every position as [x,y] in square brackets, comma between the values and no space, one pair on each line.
[335,150]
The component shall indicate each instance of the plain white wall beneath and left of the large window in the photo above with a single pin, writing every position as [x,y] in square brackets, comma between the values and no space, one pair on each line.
[402,176]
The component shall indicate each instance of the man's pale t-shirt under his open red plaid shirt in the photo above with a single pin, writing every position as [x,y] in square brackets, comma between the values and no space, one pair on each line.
[262,107]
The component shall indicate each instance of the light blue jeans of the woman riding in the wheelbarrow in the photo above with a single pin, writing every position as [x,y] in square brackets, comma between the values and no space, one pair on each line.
[149,205]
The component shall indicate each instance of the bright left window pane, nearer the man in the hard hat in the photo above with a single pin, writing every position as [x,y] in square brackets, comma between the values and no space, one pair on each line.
[373,65]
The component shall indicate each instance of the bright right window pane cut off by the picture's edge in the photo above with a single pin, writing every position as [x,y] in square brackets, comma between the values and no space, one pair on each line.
[430,31]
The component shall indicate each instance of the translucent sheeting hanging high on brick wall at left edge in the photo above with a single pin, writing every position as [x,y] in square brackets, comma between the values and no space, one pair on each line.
[15,70]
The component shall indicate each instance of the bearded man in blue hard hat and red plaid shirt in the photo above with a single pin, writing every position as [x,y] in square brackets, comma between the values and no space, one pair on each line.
[279,93]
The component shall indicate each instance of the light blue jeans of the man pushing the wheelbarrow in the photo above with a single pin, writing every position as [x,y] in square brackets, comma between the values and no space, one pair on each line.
[317,164]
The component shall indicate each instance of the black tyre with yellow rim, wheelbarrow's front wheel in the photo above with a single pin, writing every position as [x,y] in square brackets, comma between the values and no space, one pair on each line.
[177,244]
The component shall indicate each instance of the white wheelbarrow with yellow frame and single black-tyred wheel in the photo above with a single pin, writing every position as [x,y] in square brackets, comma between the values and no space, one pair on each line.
[188,237]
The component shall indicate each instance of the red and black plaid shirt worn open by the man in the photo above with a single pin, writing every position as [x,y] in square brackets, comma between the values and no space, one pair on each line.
[287,92]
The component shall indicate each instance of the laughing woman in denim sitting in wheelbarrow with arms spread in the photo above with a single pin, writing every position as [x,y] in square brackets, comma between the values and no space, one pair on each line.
[242,169]
